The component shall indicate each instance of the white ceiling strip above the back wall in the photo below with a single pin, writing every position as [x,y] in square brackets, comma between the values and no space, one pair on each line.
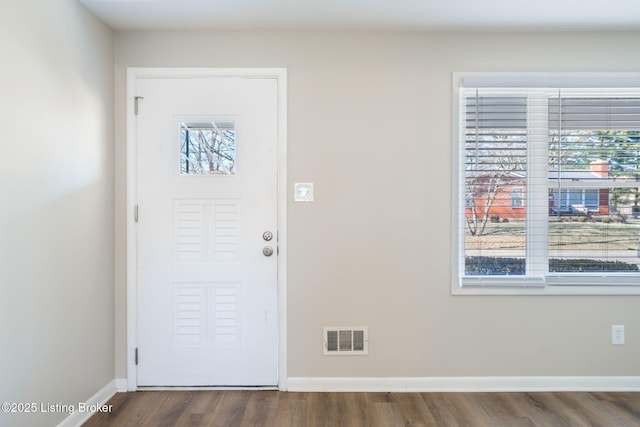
[412,15]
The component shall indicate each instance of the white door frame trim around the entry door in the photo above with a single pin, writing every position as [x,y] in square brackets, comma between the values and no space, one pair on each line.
[133,75]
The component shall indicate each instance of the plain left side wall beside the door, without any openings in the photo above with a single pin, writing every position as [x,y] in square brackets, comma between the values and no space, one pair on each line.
[56,206]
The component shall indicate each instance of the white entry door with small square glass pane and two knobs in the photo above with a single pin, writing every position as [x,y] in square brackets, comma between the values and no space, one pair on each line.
[207,238]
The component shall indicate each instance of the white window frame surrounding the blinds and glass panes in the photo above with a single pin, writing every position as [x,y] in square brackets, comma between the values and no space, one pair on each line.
[549,284]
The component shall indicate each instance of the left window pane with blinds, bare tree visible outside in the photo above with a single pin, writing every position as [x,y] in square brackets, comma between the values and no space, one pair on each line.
[495,170]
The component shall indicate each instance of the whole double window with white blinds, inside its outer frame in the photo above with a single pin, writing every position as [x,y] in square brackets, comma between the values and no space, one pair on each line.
[549,185]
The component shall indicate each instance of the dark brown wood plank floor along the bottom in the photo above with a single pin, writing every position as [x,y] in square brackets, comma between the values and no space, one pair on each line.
[273,408]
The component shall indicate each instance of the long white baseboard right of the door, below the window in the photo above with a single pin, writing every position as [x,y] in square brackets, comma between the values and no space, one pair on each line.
[464,384]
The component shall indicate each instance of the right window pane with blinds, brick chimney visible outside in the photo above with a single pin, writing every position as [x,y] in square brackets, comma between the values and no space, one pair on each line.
[594,179]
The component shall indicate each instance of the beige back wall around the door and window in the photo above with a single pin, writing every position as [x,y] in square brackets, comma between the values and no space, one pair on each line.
[370,123]
